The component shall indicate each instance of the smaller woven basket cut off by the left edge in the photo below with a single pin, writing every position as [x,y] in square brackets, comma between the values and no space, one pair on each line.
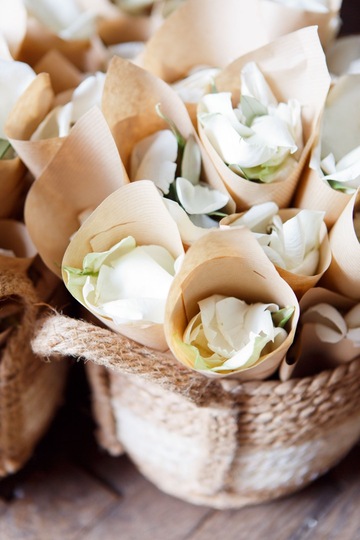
[30,389]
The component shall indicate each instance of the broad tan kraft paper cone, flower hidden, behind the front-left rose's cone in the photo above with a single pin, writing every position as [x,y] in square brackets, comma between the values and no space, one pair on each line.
[86,169]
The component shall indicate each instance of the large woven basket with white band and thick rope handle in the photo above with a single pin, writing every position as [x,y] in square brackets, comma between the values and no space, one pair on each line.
[223,445]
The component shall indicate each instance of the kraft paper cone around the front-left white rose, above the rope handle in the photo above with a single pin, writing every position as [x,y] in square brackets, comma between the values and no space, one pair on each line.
[134,210]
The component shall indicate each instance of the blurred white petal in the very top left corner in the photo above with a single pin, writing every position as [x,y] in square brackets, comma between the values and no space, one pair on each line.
[13,24]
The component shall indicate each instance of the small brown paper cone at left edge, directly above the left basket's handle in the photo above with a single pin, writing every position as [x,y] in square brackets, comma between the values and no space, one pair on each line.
[15,238]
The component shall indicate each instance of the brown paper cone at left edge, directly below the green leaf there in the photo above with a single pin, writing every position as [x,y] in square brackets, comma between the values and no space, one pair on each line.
[12,187]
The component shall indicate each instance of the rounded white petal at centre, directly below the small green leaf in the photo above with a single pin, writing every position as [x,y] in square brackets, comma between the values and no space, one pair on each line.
[199,199]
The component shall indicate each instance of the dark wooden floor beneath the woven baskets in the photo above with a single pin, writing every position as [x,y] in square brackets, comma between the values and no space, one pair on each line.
[71,490]
